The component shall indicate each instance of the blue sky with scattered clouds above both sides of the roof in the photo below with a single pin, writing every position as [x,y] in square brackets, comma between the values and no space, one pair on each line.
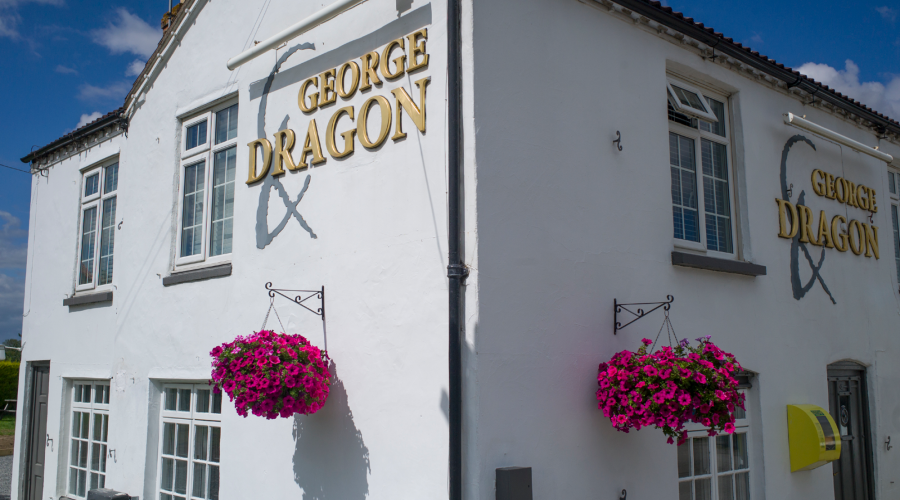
[63,62]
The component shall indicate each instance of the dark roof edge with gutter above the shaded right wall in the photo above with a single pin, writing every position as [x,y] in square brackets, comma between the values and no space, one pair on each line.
[724,46]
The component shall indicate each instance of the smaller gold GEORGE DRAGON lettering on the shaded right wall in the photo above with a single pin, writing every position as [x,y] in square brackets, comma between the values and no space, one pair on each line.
[859,237]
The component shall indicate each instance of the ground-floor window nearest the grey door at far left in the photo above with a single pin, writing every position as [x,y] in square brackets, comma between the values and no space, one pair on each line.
[90,426]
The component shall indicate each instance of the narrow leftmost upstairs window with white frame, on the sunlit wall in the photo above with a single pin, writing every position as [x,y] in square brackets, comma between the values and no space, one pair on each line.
[98,226]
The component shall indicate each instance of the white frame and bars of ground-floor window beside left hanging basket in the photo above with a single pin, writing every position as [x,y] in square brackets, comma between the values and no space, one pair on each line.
[192,418]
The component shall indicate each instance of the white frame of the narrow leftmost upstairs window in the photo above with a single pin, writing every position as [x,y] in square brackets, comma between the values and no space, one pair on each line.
[95,200]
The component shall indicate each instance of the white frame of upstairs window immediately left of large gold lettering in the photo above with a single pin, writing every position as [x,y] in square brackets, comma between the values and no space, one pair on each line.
[205,153]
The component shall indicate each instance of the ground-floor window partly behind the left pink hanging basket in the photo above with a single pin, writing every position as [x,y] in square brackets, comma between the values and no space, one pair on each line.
[189,447]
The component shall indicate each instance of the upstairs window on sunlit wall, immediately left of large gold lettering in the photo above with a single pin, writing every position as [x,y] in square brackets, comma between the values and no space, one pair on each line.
[206,195]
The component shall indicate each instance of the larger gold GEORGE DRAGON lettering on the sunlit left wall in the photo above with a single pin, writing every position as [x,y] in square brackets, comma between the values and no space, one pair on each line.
[333,83]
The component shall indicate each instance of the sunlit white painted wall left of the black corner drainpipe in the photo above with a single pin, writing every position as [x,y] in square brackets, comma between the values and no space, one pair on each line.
[380,253]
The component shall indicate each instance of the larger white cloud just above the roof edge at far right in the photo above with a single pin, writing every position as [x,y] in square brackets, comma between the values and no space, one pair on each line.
[884,98]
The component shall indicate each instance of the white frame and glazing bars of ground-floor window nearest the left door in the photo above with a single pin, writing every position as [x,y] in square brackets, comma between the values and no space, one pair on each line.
[91,408]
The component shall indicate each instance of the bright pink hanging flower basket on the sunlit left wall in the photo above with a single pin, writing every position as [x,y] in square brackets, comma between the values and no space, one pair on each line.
[271,374]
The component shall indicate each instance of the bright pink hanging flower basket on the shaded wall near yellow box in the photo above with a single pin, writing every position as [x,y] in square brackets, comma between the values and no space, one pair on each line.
[671,387]
